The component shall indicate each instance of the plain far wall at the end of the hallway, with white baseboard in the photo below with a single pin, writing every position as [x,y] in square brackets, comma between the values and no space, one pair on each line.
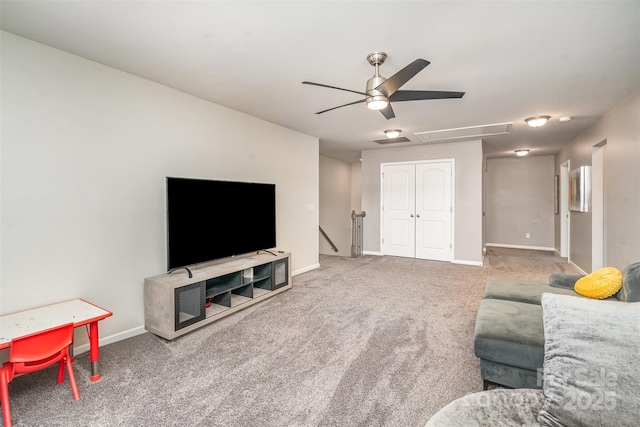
[519,200]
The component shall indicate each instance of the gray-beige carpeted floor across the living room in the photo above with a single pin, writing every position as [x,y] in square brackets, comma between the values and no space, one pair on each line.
[372,341]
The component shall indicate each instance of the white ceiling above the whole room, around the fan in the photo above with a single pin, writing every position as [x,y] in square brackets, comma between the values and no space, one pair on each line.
[514,59]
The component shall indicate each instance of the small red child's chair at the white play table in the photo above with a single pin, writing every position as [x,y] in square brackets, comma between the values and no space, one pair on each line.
[34,352]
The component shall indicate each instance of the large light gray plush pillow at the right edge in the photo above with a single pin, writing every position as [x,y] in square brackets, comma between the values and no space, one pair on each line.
[591,362]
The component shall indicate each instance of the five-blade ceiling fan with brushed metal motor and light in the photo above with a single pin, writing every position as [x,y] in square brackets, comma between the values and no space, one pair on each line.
[381,92]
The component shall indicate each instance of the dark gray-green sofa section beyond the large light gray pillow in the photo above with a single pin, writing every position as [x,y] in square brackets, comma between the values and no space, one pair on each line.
[509,336]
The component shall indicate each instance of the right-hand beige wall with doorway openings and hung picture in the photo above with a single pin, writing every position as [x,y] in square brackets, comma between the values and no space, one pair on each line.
[620,128]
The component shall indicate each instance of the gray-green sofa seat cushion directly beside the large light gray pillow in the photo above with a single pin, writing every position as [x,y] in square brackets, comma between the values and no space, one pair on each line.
[509,333]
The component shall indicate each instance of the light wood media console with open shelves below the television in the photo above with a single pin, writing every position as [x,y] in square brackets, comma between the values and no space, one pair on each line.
[175,304]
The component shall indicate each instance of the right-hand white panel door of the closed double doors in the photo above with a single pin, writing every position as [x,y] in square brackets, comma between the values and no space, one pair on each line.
[433,211]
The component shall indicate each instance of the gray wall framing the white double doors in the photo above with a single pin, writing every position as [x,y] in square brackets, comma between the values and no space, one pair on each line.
[468,192]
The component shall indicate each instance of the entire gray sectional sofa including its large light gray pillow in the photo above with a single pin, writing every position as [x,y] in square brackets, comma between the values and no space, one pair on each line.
[571,360]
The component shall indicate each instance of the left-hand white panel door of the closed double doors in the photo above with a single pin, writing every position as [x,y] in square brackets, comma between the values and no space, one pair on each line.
[398,210]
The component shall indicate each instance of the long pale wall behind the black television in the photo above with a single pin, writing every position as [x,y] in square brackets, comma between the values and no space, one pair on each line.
[85,153]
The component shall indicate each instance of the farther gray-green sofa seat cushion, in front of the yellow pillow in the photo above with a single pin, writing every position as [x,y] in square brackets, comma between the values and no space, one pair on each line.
[527,291]
